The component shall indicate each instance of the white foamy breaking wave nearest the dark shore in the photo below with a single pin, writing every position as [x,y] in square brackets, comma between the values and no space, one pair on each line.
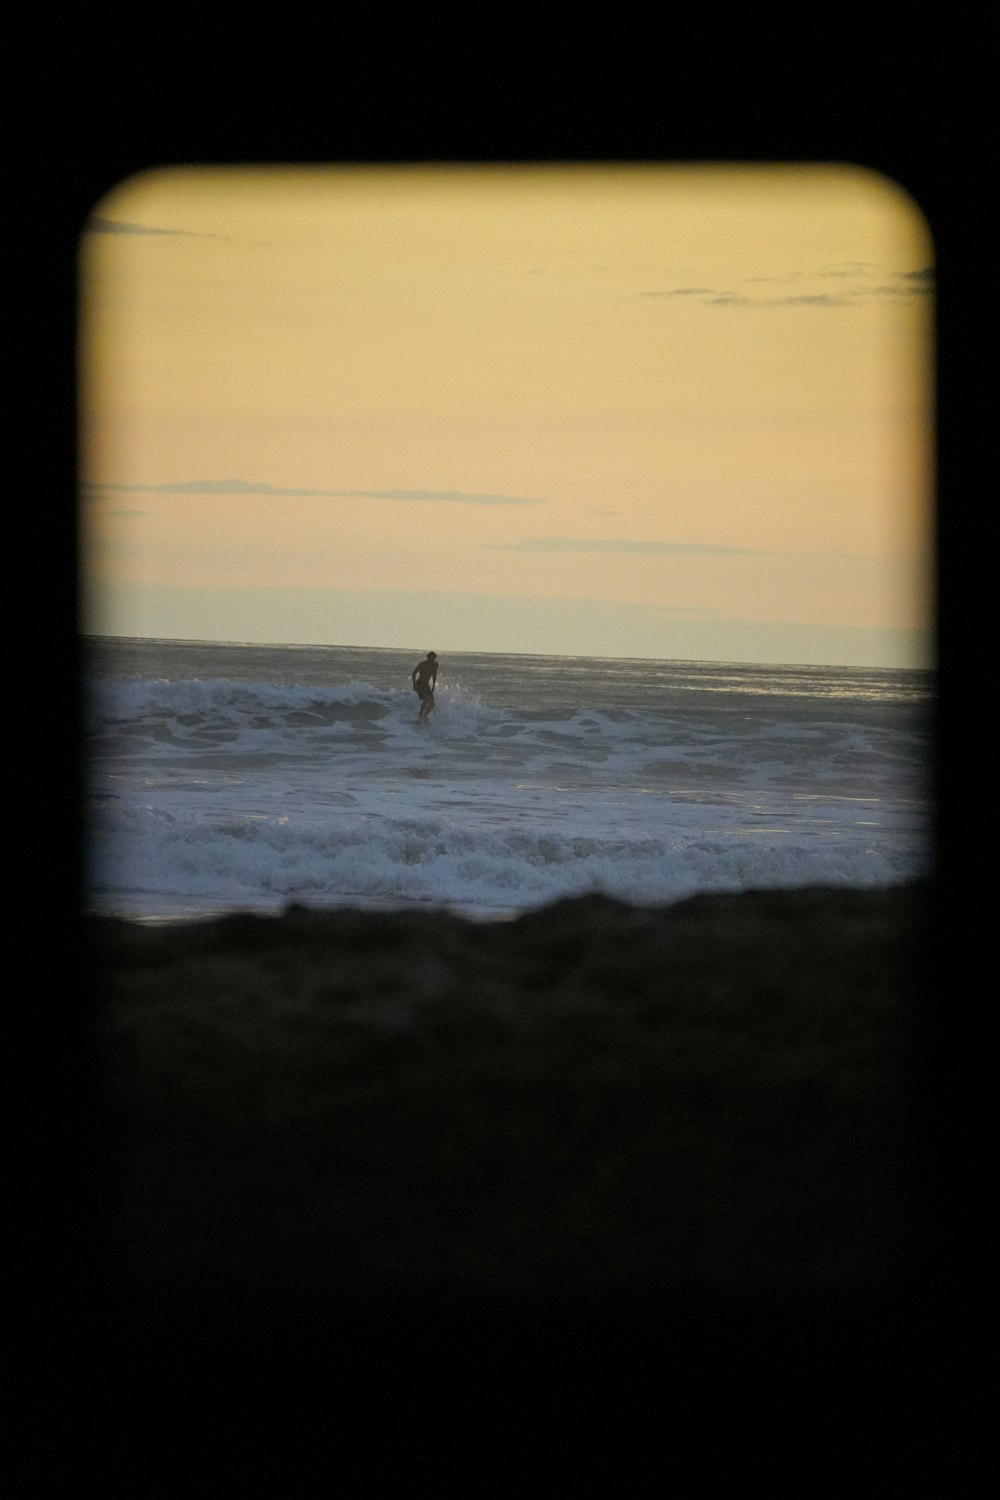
[266,860]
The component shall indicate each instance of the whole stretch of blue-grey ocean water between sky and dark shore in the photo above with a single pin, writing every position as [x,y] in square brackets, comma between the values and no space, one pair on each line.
[223,778]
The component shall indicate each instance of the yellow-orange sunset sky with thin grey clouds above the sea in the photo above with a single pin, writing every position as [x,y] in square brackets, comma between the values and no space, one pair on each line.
[680,412]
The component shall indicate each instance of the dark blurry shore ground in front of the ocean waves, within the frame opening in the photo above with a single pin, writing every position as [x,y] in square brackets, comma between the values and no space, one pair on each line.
[681,1118]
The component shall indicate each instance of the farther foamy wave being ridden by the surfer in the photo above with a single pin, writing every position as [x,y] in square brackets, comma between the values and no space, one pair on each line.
[359,731]
